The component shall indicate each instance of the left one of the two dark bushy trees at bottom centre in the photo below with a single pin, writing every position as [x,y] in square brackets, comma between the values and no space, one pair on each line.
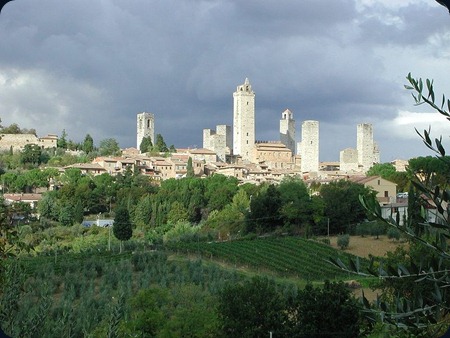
[251,309]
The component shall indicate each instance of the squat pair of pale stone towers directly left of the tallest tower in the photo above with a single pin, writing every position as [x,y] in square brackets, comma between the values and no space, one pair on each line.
[219,141]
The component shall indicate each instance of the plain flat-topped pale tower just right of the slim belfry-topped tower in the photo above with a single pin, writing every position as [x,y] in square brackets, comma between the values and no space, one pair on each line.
[310,146]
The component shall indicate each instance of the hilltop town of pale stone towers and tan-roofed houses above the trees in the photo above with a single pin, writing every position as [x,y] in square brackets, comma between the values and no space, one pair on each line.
[230,150]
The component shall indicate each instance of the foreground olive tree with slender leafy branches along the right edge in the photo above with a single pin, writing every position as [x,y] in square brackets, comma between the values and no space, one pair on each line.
[421,313]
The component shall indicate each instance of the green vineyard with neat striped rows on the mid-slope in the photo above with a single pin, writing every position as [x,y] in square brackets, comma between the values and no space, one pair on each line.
[287,256]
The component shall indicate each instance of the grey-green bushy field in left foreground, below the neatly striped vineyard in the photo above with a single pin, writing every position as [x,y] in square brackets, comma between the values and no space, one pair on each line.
[76,295]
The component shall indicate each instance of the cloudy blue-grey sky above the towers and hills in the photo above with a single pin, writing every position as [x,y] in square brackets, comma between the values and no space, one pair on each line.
[90,66]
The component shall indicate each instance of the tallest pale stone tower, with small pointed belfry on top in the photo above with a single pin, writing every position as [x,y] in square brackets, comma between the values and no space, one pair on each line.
[244,121]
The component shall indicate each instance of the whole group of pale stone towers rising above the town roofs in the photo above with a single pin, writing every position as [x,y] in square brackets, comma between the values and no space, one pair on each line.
[239,141]
